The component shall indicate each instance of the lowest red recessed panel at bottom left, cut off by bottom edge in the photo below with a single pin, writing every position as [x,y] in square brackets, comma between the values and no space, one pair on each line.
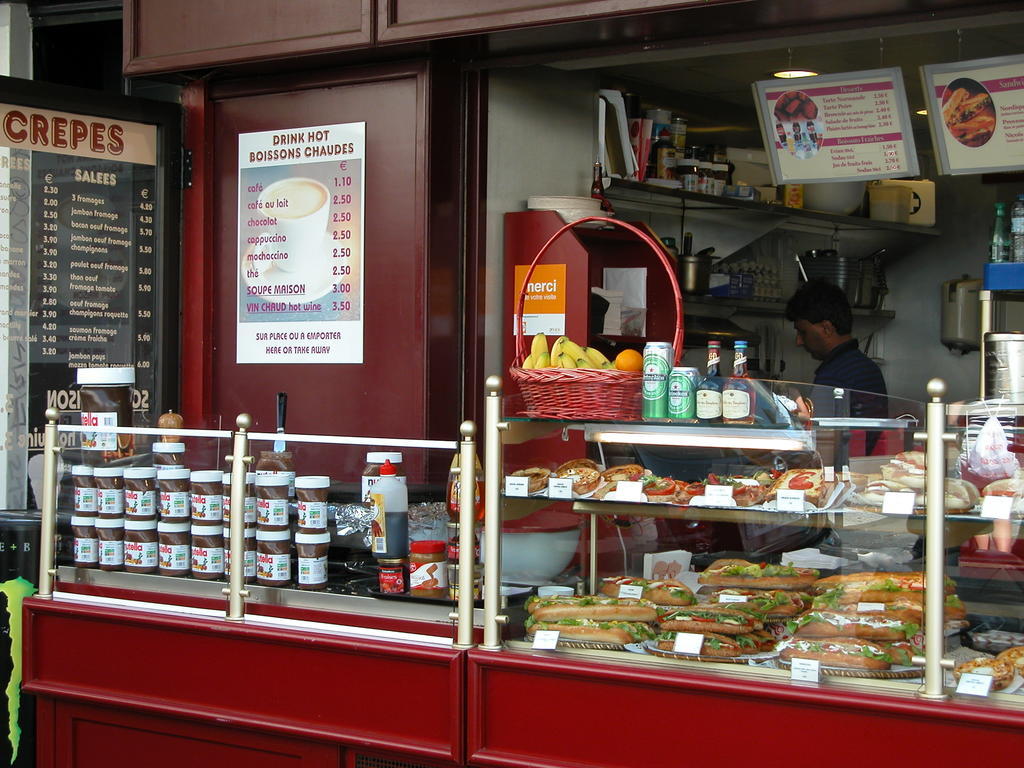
[91,737]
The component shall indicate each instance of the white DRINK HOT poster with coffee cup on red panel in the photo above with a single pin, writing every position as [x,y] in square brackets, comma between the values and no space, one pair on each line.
[301,245]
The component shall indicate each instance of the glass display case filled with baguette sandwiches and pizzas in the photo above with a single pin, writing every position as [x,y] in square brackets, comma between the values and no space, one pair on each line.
[805,545]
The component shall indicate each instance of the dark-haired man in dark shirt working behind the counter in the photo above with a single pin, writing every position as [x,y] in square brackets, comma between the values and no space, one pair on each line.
[822,317]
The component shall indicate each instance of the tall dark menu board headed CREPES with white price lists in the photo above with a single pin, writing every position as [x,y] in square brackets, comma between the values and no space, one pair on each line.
[78,246]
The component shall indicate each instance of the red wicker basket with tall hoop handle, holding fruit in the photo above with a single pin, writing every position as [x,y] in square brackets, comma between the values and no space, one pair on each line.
[593,395]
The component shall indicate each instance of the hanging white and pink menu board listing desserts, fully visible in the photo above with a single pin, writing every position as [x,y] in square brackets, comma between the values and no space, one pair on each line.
[854,126]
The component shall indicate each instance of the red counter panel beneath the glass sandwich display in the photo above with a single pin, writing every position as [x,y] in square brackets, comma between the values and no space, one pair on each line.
[711,712]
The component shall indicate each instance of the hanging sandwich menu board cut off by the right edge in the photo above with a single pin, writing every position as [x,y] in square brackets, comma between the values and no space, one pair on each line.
[976,114]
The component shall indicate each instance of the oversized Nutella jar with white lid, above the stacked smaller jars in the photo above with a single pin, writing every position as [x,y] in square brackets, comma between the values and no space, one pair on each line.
[105,400]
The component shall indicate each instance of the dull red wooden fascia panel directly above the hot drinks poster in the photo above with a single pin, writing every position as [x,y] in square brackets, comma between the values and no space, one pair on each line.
[163,36]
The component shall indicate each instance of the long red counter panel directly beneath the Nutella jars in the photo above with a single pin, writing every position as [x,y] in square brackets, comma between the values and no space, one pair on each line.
[278,681]
